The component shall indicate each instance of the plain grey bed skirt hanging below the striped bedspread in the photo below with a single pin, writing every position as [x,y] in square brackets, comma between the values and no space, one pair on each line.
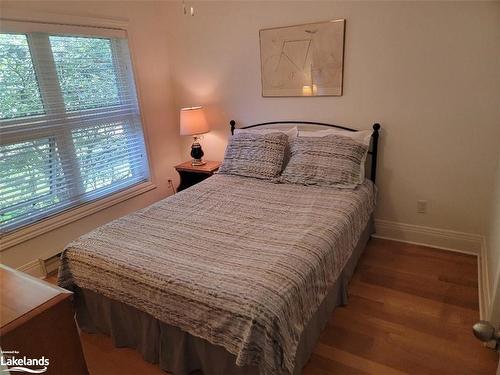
[181,353]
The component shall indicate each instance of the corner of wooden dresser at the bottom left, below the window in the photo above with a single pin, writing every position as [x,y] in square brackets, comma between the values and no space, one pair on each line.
[37,320]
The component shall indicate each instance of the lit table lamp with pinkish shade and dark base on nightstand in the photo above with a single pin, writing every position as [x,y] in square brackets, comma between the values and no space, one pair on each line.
[193,123]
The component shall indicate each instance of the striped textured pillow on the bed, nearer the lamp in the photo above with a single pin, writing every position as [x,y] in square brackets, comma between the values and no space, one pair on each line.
[255,155]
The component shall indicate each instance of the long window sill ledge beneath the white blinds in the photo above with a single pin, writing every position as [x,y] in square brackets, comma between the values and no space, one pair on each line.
[59,220]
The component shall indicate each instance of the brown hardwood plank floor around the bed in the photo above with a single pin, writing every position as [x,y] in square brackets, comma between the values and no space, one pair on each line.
[410,310]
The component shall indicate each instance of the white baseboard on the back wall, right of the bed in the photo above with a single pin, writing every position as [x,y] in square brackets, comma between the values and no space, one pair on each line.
[433,237]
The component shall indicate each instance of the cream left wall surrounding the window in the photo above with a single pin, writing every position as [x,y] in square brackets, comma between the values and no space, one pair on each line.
[147,43]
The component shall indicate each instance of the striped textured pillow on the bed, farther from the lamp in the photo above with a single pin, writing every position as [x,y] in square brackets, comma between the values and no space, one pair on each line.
[329,160]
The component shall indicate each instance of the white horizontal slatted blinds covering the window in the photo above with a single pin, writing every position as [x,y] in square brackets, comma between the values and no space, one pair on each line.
[70,128]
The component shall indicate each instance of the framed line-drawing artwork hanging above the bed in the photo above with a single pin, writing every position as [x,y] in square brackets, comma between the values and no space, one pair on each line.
[303,60]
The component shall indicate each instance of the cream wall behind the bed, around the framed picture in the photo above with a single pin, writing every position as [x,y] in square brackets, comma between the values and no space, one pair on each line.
[427,71]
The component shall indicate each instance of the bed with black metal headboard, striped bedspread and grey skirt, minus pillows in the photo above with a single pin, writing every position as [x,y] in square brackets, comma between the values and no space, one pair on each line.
[234,275]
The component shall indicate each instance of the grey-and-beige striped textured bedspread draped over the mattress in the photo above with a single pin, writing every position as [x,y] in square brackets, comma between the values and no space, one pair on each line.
[240,262]
